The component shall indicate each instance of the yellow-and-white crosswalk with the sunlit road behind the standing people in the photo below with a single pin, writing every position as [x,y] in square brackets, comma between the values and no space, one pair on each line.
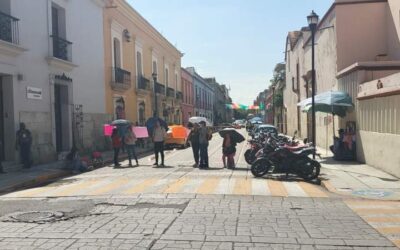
[178,177]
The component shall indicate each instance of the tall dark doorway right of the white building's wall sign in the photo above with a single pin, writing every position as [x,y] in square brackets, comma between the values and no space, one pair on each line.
[61,115]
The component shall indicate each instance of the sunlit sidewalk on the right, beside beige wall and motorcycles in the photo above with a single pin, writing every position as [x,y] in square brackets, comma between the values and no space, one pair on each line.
[356,179]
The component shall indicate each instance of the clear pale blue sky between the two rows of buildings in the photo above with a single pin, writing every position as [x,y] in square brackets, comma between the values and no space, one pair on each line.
[237,41]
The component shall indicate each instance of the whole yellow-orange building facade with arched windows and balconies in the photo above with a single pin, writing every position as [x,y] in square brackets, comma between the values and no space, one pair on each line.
[134,51]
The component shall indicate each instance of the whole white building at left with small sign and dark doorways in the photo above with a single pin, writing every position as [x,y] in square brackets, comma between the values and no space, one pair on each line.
[51,76]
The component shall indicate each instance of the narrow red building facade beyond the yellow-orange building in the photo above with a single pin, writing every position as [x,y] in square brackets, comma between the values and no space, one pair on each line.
[188,96]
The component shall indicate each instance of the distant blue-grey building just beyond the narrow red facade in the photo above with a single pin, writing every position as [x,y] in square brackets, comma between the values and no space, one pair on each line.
[204,96]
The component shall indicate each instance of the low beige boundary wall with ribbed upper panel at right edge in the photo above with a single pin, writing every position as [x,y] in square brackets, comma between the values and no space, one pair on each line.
[379,126]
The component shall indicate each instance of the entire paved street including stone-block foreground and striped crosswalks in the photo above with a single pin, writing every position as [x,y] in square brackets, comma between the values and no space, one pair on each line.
[180,207]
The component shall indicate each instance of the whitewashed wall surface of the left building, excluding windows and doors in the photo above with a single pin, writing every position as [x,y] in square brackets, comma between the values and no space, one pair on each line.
[85,89]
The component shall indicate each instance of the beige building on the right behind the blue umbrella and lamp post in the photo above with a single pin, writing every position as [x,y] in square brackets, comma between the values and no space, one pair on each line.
[357,45]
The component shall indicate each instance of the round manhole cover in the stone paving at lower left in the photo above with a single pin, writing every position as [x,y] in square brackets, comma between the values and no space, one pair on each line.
[36,216]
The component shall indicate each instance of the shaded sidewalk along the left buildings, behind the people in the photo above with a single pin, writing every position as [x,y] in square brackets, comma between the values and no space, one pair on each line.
[43,173]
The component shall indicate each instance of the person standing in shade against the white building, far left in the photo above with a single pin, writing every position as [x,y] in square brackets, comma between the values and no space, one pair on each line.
[23,144]
